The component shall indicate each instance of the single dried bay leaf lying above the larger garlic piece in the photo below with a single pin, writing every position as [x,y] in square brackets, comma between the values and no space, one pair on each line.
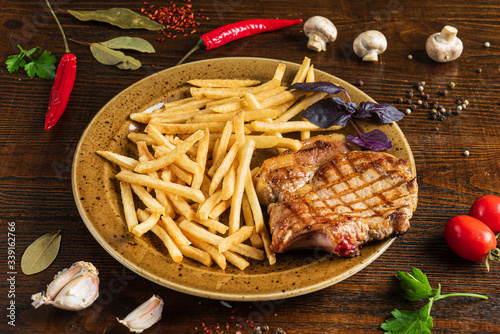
[41,253]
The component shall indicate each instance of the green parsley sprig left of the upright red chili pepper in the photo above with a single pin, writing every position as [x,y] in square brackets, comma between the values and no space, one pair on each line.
[42,66]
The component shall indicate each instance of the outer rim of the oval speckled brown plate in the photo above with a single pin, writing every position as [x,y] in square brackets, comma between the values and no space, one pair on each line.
[234,295]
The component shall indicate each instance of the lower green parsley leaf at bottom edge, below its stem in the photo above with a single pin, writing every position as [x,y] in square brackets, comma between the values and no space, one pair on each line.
[410,322]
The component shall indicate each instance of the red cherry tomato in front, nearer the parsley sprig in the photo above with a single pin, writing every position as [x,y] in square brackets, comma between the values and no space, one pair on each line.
[469,238]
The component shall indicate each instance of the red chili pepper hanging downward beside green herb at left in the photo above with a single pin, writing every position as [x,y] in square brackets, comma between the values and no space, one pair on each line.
[63,83]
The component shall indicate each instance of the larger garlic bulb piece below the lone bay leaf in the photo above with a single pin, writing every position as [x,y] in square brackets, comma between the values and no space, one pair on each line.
[72,289]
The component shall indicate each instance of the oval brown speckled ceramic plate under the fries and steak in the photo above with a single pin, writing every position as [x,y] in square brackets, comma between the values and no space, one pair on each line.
[97,196]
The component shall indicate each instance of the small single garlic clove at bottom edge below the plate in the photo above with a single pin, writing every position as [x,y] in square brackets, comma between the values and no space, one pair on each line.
[144,316]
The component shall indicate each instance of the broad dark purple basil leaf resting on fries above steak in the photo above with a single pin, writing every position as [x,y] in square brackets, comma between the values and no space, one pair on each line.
[329,112]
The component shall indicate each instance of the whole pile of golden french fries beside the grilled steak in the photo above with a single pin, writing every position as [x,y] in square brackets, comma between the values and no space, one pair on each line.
[194,165]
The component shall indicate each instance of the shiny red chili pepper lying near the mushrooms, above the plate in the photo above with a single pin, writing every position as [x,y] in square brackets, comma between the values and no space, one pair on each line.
[238,30]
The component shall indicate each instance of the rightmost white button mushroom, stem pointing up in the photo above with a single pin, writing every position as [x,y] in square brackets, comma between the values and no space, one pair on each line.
[444,46]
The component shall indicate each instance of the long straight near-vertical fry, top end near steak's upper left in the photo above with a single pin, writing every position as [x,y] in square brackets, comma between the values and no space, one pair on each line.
[239,186]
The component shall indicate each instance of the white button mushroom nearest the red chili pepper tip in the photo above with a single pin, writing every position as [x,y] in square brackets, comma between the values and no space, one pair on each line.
[320,31]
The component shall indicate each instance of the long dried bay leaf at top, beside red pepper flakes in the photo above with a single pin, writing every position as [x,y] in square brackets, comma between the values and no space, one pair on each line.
[120,17]
